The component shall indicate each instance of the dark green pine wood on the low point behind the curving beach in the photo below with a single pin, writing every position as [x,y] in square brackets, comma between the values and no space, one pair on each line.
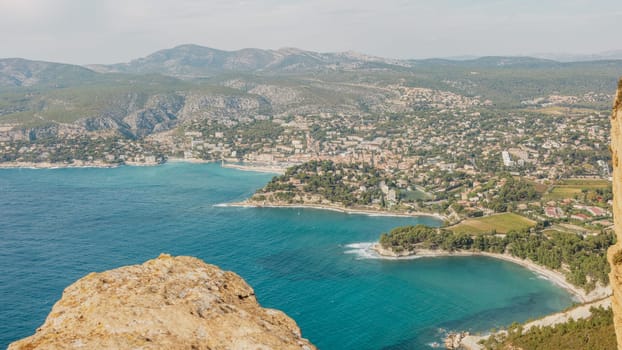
[582,259]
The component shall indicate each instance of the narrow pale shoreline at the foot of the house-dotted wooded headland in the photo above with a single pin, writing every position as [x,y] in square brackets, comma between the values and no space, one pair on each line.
[370,212]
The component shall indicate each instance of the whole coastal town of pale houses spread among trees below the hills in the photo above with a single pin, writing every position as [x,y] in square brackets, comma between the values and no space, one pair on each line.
[443,153]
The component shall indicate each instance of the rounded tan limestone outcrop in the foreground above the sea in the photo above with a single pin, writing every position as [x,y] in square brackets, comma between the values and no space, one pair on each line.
[165,303]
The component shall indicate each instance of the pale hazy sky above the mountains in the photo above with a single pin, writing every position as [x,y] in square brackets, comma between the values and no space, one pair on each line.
[110,31]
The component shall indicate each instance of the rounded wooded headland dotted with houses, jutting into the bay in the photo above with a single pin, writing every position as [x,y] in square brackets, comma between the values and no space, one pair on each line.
[346,187]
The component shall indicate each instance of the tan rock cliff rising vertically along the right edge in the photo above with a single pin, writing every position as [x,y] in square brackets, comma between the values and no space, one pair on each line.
[615,252]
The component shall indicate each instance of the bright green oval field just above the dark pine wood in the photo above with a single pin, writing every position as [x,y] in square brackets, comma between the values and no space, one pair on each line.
[501,223]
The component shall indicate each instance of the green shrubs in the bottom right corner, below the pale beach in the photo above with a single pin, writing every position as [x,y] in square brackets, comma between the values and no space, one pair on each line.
[595,333]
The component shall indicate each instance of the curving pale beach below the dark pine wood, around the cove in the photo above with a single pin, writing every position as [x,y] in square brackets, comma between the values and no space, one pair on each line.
[555,277]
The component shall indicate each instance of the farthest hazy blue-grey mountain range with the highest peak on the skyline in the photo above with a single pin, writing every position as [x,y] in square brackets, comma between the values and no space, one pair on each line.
[188,61]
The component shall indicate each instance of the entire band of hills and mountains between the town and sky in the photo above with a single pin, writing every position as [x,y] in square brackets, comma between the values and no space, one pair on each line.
[191,82]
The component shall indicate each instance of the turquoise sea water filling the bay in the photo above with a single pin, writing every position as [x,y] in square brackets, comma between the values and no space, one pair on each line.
[58,225]
